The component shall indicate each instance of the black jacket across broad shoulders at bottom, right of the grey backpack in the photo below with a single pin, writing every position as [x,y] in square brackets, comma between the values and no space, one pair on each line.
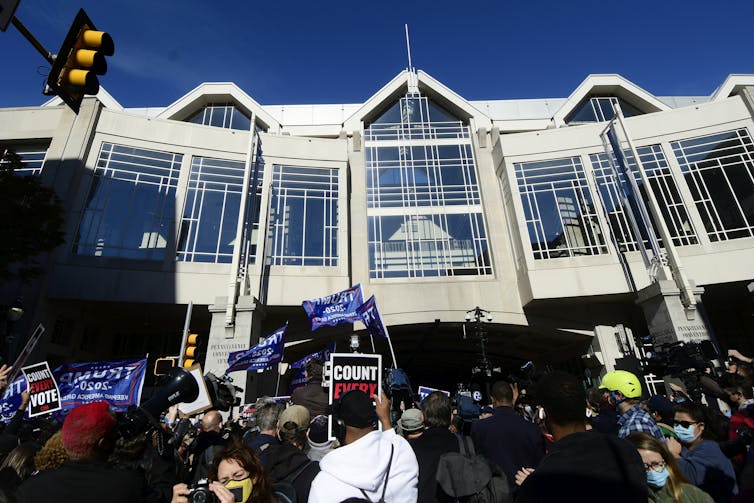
[584,464]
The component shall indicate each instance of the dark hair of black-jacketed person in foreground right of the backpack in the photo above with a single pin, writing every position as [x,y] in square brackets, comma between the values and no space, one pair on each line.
[563,398]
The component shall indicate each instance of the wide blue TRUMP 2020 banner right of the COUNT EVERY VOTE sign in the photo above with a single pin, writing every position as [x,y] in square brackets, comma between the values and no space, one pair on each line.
[119,383]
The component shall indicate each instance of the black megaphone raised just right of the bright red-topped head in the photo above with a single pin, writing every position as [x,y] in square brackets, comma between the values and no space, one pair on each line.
[178,387]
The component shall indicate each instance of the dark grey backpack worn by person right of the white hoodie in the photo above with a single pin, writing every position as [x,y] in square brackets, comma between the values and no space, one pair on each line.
[468,477]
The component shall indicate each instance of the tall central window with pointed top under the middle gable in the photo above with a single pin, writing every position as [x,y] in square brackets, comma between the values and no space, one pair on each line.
[423,202]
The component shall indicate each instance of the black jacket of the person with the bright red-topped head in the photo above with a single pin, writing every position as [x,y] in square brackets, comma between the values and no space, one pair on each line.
[84,482]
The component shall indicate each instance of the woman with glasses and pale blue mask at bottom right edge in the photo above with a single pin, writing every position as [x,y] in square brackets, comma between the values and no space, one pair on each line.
[664,478]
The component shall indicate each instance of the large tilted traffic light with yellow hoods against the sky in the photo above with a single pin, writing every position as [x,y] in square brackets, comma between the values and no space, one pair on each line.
[80,59]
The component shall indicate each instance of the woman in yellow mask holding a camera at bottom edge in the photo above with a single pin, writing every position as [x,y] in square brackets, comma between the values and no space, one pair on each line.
[236,476]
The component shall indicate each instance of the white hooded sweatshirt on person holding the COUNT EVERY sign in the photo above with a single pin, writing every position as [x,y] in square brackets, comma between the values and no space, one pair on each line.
[362,465]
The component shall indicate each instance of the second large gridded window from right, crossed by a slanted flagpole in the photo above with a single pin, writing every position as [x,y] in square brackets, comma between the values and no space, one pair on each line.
[614,184]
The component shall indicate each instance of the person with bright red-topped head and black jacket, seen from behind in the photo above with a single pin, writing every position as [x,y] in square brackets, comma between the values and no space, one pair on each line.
[88,437]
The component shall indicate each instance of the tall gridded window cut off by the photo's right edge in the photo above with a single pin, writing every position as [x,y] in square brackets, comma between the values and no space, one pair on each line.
[719,170]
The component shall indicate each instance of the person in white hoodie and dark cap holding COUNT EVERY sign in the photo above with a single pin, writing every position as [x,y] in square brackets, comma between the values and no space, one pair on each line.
[371,464]
